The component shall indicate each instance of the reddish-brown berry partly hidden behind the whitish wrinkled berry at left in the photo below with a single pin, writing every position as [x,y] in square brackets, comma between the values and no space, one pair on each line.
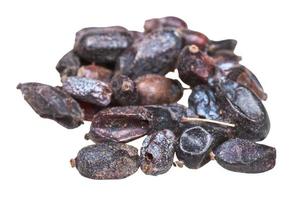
[95,72]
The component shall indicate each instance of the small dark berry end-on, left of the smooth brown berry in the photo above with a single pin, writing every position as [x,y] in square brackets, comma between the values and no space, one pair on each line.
[124,91]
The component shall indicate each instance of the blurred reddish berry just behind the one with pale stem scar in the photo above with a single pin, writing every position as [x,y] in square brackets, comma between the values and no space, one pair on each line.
[194,38]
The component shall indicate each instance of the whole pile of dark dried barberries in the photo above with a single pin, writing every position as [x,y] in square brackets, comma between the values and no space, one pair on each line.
[116,79]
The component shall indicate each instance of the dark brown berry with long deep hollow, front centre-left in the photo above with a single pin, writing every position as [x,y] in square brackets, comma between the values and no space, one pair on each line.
[120,124]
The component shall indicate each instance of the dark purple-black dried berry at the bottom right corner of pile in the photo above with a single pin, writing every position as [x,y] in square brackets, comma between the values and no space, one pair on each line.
[241,155]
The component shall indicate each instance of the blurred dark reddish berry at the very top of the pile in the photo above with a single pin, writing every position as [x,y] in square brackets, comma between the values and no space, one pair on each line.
[164,22]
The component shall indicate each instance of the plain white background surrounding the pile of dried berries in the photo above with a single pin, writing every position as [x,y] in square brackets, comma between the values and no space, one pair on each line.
[34,152]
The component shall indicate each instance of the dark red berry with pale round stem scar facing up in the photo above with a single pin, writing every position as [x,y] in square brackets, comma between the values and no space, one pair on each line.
[194,67]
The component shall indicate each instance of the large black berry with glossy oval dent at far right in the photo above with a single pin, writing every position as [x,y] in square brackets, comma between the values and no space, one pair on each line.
[242,108]
